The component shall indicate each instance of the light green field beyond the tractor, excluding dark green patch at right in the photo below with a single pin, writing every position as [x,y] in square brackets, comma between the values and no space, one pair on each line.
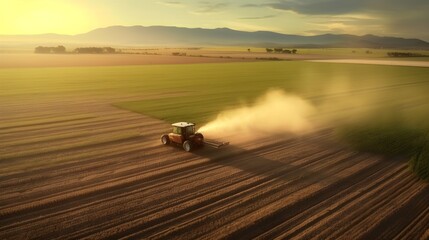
[198,92]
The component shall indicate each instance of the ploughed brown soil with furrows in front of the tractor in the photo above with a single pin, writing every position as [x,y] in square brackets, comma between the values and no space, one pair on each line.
[100,172]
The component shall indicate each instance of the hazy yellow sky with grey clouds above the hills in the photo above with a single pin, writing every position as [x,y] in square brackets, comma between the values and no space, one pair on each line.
[404,18]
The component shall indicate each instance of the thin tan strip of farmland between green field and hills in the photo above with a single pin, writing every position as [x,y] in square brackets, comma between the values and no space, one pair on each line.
[24,57]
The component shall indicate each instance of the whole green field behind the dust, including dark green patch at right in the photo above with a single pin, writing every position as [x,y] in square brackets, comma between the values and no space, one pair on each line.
[344,94]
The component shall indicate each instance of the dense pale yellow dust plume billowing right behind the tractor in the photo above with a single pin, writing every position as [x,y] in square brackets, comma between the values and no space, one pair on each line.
[276,112]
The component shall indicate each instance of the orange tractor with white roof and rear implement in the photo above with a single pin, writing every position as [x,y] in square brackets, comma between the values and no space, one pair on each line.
[184,134]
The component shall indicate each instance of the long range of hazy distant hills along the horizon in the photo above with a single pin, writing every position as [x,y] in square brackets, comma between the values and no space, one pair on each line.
[179,36]
